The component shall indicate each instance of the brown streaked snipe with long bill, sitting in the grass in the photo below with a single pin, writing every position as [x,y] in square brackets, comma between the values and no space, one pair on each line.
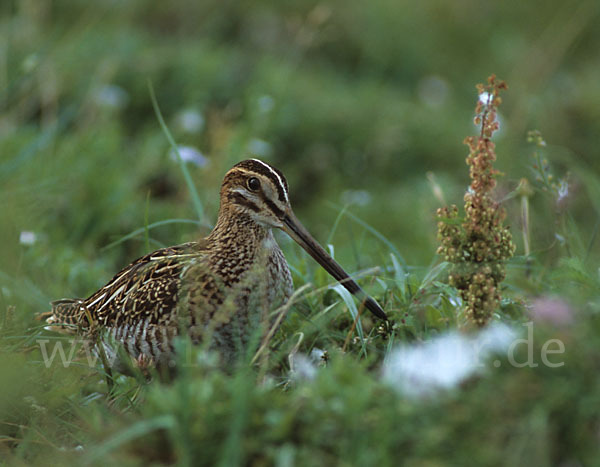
[220,288]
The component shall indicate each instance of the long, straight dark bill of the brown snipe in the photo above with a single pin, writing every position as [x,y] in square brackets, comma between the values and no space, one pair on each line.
[293,227]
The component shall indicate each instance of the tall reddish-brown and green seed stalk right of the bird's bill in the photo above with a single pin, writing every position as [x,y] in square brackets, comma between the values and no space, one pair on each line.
[480,245]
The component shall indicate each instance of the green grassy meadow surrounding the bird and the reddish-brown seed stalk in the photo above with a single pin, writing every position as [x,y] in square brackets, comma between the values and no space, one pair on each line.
[364,109]
